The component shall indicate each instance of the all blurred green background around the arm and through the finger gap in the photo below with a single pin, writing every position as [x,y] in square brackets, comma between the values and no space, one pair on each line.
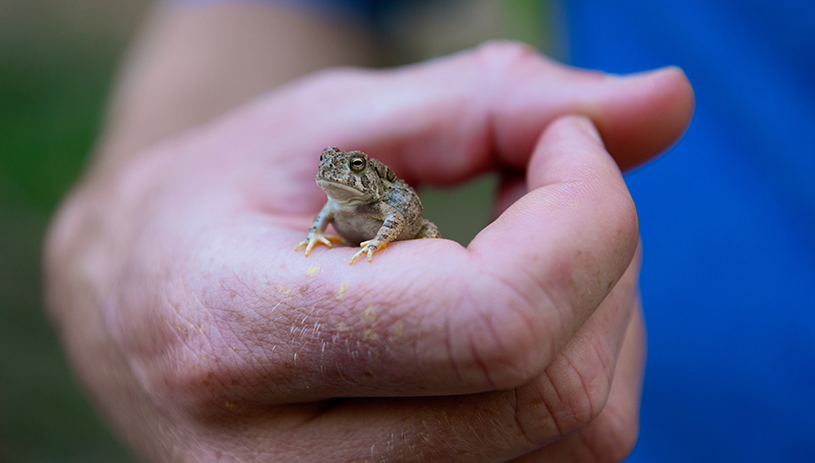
[57,63]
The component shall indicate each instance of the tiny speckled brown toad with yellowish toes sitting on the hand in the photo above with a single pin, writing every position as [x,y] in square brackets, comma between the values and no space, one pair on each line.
[367,204]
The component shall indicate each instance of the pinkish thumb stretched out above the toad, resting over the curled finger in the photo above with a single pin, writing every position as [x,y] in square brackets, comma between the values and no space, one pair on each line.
[451,118]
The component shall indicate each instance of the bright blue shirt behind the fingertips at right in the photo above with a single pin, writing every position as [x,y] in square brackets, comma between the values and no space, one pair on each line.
[728,224]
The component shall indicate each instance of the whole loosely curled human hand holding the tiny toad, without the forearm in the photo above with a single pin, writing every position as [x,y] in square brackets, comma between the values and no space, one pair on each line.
[203,336]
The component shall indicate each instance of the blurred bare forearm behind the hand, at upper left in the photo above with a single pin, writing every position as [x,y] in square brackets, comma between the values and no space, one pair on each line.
[192,63]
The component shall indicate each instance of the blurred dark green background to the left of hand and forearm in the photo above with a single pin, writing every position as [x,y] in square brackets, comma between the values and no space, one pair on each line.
[57,60]
